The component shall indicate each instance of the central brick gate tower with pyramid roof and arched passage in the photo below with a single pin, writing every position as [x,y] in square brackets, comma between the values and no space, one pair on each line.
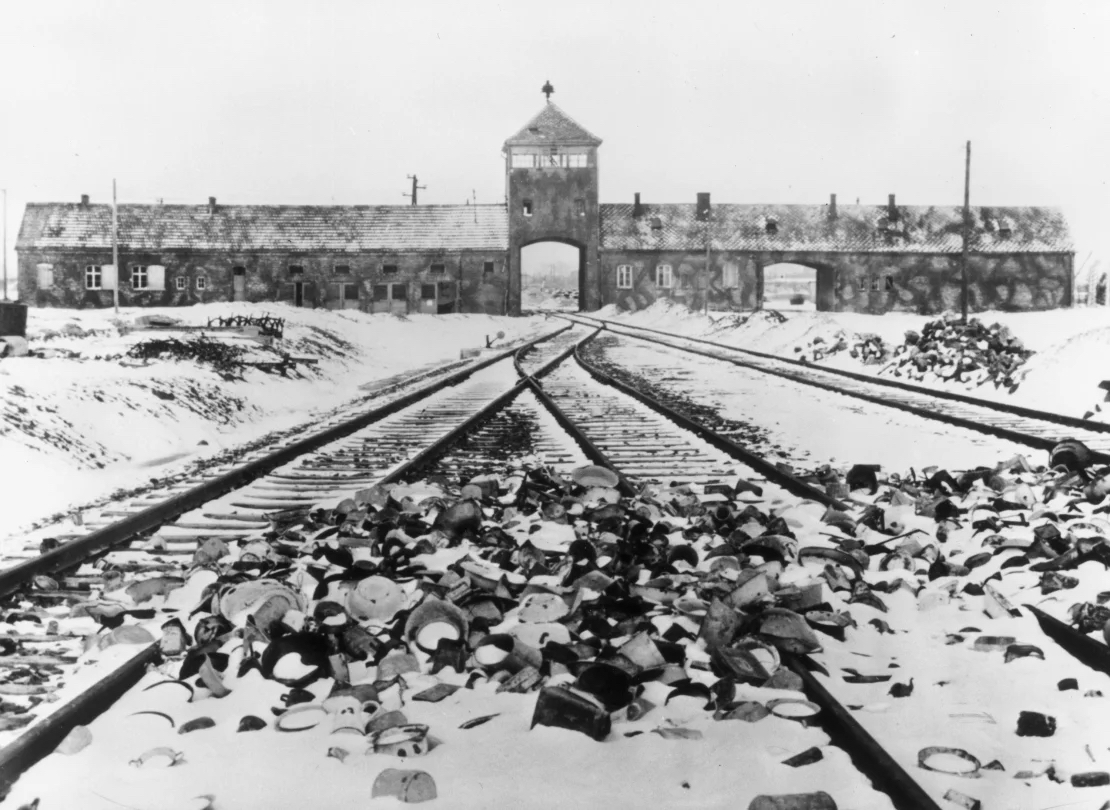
[551,188]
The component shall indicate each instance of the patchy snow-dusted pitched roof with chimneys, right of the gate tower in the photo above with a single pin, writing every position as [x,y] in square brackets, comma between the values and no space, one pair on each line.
[919,229]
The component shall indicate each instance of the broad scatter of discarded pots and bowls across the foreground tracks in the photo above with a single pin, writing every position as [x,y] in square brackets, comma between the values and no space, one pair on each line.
[675,611]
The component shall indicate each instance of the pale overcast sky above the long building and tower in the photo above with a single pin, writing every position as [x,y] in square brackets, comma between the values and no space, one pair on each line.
[335,103]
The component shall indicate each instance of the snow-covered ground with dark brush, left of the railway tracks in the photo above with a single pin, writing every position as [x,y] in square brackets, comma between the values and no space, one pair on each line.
[90,420]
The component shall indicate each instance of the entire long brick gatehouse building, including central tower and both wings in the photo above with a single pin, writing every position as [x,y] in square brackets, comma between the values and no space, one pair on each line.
[440,259]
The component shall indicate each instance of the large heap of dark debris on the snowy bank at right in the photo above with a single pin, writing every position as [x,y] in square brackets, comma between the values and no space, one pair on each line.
[971,355]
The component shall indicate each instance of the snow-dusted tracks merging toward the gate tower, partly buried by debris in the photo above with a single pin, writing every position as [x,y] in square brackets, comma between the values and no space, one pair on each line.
[480,418]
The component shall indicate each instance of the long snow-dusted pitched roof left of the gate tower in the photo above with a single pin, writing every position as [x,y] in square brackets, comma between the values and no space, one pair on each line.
[246,228]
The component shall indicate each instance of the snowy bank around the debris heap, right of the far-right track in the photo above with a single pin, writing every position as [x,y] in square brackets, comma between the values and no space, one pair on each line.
[1072,346]
